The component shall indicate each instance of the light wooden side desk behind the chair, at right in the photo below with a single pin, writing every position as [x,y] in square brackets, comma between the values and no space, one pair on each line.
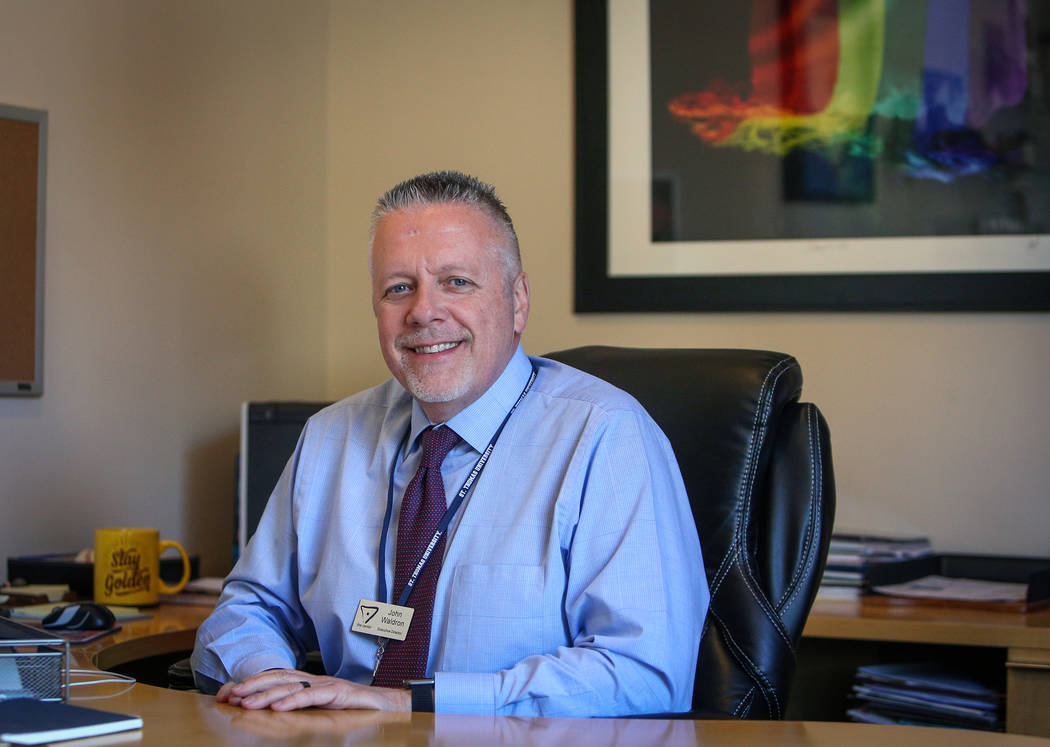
[1023,639]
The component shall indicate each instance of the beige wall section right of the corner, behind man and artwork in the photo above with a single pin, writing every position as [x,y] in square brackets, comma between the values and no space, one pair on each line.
[940,423]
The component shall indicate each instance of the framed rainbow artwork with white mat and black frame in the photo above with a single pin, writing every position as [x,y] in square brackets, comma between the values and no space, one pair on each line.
[813,155]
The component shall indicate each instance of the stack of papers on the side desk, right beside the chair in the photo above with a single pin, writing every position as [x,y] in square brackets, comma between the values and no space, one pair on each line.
[853,554]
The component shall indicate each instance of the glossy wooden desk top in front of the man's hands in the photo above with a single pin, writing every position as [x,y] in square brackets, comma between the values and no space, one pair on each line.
[172,717]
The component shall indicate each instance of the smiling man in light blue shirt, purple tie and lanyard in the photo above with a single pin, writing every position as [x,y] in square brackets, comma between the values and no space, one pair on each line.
[568,579]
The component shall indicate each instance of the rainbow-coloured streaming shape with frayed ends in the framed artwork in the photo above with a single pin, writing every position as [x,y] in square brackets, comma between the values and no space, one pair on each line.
[908,81]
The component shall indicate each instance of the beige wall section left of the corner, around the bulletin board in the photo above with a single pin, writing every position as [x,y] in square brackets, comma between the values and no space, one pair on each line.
[186,242]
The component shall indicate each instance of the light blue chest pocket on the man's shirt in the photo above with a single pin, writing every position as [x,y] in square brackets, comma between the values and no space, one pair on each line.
[496,617]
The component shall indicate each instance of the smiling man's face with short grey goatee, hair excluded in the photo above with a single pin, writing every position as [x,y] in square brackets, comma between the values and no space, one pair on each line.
[449,319]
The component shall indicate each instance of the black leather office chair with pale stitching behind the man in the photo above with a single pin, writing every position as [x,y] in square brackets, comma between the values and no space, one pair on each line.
[758,467]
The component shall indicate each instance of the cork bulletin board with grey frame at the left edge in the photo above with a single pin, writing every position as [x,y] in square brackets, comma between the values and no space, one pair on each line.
[24,139]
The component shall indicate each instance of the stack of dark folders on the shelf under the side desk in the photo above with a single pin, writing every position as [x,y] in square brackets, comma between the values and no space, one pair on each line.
[925,695]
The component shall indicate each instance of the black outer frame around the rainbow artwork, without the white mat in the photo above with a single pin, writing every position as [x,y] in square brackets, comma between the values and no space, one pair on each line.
[597,290]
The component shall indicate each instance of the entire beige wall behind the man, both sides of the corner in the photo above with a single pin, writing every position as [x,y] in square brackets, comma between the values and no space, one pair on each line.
[213,165]
